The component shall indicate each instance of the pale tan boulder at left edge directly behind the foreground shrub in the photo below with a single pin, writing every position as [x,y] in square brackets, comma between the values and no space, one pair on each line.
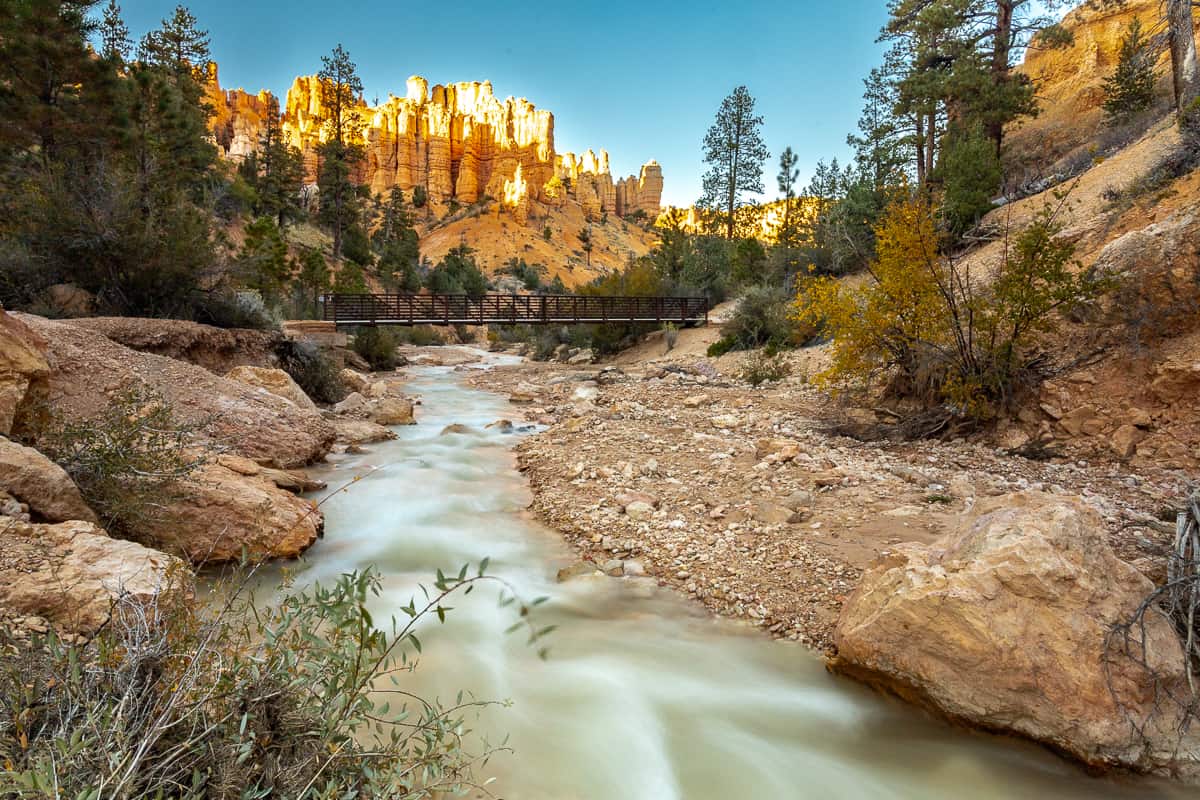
[71,574]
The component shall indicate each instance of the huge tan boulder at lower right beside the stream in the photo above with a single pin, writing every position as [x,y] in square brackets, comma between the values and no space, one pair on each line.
[1005,625]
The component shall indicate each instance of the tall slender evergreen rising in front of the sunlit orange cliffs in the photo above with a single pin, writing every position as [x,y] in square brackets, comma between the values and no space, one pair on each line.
[341,154]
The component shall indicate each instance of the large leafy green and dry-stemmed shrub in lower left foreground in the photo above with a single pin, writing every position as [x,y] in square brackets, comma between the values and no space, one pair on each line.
[302,699]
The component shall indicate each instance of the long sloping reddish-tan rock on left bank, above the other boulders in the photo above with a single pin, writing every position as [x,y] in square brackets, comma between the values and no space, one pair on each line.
[88,370]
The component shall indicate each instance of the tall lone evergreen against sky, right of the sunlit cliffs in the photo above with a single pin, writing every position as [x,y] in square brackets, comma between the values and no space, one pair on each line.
[734,152]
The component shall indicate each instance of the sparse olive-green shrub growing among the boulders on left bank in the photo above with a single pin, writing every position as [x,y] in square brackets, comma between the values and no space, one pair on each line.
[128,461]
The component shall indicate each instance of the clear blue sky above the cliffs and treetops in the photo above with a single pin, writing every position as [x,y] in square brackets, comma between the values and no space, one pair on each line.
[640,79]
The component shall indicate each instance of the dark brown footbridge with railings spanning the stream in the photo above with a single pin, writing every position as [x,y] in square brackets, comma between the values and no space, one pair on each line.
[352,310]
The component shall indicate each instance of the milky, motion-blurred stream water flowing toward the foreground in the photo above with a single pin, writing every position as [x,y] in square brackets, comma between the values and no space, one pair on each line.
[644,696]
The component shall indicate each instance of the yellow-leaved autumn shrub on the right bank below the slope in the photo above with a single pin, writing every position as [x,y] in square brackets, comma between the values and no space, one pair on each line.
[945,338]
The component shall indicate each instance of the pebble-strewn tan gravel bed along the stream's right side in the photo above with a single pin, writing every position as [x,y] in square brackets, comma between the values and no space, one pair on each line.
[741,498]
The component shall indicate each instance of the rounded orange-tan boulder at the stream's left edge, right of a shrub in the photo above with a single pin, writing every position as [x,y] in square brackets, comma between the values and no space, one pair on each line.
[219,514]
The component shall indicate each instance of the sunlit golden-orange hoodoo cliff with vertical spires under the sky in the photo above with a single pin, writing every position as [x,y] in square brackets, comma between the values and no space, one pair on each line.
[460,142]
